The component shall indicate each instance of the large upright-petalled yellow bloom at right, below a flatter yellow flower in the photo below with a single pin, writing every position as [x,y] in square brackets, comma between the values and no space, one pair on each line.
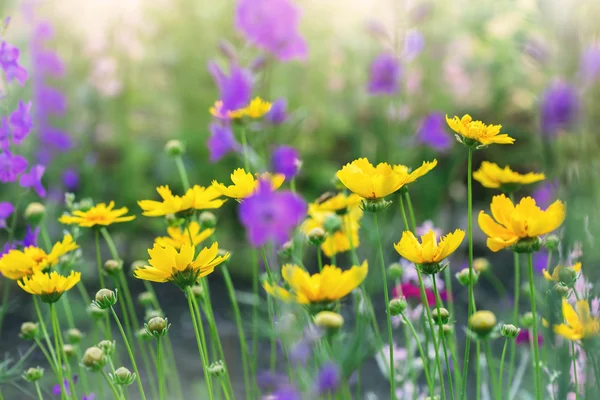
[523,221]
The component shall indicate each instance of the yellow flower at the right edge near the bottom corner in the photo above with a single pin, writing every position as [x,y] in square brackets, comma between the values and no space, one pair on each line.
[580,324]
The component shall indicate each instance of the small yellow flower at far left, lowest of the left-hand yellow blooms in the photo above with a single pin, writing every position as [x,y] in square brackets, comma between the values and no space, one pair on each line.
[49,286]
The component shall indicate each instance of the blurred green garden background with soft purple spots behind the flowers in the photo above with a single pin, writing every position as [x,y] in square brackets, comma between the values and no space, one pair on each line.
[111,81]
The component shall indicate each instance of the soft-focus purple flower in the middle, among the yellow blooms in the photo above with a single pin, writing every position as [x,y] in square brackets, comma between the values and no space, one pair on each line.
[268,215]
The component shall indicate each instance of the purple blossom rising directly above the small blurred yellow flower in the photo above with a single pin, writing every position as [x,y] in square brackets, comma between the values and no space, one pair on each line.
[235,90]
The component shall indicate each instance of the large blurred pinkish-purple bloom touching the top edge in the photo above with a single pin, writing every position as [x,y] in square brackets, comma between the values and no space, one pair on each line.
[272,25]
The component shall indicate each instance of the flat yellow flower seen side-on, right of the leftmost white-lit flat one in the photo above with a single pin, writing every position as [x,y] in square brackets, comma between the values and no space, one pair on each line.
[196,198]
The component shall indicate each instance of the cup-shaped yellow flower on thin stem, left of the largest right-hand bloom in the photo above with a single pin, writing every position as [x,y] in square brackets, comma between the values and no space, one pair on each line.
[429,253]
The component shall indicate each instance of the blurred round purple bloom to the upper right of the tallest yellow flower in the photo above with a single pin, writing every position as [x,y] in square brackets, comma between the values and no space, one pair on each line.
[559,108]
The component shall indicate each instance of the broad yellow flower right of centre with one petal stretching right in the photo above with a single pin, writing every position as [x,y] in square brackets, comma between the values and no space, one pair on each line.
[371,182]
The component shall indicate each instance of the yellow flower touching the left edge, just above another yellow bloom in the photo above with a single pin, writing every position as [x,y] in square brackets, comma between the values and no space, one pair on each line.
[19,263]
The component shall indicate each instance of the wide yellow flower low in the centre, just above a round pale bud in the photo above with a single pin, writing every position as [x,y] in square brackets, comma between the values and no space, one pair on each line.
[330,285]
